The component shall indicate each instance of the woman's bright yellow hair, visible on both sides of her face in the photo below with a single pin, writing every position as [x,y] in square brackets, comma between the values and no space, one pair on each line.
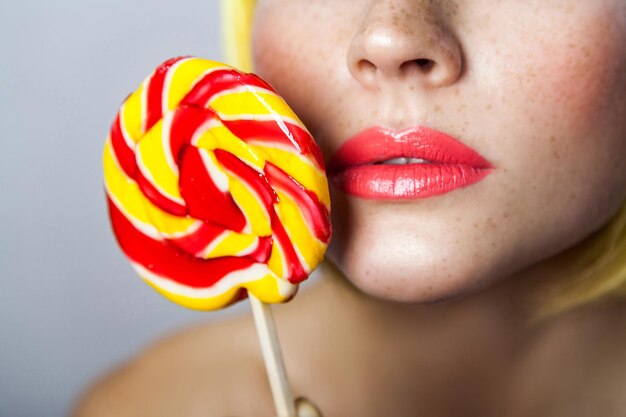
[595,269]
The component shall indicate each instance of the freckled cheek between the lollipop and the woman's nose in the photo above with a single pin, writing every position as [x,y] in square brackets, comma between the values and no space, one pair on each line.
[299,47]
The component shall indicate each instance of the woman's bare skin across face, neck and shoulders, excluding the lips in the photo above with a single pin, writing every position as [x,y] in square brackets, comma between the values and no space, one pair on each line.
[425,313]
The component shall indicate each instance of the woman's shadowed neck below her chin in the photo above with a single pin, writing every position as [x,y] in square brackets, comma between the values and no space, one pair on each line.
[470,345]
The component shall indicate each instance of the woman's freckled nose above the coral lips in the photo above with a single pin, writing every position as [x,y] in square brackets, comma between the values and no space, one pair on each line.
[404,40]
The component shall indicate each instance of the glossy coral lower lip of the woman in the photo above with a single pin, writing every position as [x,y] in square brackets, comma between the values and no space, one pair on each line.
[409,181]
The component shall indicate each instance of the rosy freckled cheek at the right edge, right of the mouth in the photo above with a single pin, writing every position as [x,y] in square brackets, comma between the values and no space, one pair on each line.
[564,95]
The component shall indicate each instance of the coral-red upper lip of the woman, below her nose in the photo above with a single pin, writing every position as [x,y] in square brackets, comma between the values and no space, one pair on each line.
[378,144]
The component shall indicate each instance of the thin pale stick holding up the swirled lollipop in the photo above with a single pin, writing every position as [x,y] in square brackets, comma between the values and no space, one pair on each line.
[283,400]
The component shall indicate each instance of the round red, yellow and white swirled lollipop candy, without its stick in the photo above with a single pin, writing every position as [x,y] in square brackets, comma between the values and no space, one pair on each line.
[215,187]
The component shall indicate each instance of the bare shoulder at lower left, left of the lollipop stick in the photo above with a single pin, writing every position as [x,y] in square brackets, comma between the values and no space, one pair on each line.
[200,371]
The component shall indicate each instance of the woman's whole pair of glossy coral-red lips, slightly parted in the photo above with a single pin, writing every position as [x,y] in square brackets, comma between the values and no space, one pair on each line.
[357,167]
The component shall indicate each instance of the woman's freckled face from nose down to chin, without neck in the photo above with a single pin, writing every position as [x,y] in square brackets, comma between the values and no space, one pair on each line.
[538,89]
